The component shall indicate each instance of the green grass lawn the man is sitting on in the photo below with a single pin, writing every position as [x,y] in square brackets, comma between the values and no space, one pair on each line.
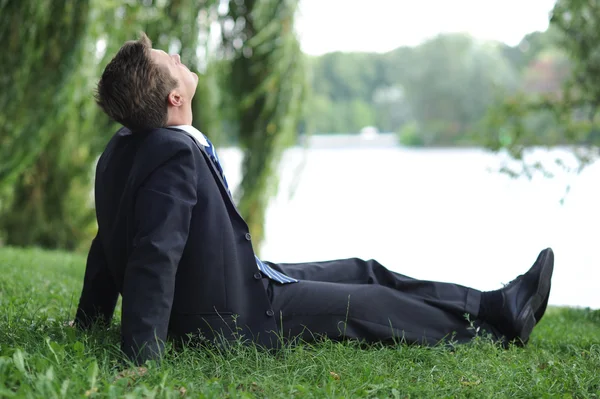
[40,357]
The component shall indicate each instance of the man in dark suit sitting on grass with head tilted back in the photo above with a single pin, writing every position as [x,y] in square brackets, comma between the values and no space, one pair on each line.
[172,243]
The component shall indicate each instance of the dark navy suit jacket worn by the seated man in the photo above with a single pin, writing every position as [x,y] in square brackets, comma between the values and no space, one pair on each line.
[172,243]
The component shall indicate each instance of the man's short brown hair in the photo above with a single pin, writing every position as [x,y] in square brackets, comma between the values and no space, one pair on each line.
[133,89]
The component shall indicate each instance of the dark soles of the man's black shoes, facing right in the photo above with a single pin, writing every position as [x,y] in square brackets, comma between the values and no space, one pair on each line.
[527,318]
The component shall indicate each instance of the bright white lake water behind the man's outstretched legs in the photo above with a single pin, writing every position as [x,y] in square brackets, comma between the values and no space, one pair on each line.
[436,214]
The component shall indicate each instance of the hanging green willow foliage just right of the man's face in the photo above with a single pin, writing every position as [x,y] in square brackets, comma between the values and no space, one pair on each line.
[266,82]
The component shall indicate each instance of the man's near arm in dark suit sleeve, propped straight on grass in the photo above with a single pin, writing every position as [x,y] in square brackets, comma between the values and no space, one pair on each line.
[162,215]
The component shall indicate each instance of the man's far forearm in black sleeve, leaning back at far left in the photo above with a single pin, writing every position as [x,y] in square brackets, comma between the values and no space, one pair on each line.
[99,294]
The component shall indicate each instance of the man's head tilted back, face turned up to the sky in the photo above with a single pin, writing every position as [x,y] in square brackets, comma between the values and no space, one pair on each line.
[144,88]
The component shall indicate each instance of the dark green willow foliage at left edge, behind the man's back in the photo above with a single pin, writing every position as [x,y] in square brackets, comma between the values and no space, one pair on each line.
[42,159]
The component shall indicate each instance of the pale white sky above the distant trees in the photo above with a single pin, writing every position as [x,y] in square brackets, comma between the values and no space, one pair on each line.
[383,25]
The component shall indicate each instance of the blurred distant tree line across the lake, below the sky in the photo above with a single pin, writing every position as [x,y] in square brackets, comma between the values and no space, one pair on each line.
[434,94]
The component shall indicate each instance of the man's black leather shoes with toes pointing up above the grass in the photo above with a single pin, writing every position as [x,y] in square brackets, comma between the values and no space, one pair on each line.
[525,299]
